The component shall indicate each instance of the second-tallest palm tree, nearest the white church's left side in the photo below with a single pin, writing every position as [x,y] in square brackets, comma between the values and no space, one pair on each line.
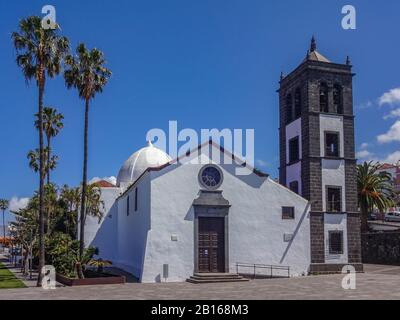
[86,73]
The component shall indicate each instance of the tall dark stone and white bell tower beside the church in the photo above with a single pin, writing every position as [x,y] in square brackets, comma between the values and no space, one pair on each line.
[317,156]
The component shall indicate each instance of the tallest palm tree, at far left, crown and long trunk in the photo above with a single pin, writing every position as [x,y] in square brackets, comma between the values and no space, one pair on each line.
[39,54]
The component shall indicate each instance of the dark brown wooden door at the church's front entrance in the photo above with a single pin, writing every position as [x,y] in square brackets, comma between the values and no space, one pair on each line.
[211,245]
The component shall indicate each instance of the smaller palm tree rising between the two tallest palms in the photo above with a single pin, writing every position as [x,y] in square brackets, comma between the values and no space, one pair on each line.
[52,124]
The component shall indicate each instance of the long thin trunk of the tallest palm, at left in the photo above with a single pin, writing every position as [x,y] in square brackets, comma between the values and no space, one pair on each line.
[41,182]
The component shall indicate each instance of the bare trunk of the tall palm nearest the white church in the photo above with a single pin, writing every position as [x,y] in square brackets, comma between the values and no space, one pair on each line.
[84,182]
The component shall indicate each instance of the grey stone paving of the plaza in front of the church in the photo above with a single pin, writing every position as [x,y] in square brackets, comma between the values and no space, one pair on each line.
[379,282]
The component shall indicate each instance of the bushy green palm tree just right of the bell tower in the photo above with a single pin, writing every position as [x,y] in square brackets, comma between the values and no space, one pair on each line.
[374,190]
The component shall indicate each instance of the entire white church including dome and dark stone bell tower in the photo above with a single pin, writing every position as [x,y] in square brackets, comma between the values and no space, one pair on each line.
[195,215]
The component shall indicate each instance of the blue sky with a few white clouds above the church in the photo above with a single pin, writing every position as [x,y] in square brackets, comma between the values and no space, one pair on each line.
[206,64]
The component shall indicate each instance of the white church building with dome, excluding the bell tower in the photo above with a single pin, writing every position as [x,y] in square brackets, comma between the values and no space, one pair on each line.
[196,216]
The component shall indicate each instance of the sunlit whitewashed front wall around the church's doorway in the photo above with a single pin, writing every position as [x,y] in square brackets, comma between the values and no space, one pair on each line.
[256,228]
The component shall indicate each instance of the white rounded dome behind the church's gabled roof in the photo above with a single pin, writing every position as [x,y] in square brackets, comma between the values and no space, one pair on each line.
[139,162]
